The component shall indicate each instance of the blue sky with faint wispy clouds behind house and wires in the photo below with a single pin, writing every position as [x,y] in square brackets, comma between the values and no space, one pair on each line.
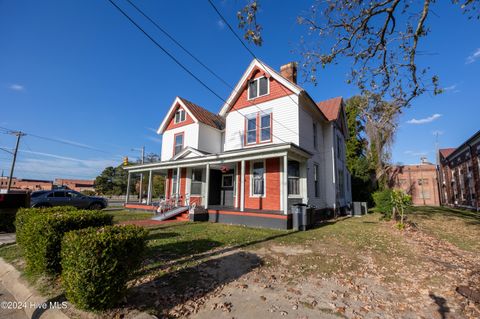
[77,71]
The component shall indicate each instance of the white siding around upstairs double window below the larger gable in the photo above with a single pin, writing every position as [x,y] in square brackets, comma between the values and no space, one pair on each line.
[284,125]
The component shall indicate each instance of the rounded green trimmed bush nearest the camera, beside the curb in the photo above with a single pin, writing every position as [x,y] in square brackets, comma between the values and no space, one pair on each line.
[98,262]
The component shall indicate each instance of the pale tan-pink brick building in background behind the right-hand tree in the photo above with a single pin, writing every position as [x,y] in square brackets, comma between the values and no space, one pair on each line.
[419,181]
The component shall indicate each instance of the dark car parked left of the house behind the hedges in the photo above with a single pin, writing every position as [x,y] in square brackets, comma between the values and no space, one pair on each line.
[63,197]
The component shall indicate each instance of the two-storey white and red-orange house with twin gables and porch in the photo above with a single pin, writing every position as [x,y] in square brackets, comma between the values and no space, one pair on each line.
[270,146]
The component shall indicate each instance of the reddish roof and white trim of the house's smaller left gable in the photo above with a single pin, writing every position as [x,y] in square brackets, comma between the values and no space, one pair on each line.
[198,113]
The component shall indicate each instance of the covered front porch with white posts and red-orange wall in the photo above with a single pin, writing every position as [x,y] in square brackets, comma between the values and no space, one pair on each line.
[254,186]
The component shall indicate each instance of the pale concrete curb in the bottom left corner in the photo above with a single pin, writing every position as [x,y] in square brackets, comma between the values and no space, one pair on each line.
[36,306]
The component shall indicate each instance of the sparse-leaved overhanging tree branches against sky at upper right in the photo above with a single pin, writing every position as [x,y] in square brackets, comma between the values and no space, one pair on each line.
[379,38]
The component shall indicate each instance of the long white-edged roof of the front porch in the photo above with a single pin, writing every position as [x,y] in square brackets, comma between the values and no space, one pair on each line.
[250,153]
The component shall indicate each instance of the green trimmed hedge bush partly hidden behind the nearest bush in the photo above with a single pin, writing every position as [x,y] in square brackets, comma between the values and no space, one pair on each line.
[40,233]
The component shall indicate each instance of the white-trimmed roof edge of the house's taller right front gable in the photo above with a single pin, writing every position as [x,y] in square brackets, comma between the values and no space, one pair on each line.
[243,82]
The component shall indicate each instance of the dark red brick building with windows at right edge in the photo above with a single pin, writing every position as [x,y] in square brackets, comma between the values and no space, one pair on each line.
[459,174]
